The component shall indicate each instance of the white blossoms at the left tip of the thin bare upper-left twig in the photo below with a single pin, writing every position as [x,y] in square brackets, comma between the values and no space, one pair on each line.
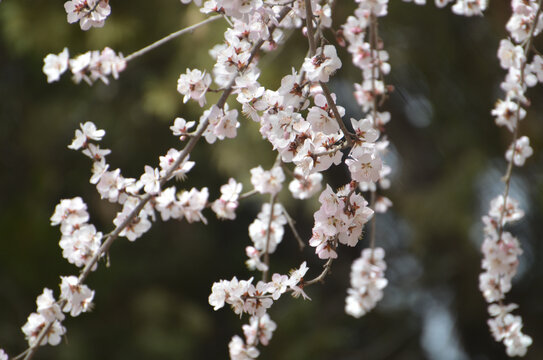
[90,66]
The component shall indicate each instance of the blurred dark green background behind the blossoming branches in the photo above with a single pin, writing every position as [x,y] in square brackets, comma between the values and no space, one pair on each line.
[152,302]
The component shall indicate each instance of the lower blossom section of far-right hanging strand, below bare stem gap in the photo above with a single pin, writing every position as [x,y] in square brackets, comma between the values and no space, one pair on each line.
[501,251]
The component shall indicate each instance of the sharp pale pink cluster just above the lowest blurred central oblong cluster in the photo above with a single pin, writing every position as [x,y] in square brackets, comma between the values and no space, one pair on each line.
[340,219]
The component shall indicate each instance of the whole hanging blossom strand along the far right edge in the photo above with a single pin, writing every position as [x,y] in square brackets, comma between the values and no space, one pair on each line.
[500,248]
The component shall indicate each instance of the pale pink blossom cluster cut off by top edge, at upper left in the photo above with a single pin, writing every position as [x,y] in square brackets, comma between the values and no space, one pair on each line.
[89,13]
